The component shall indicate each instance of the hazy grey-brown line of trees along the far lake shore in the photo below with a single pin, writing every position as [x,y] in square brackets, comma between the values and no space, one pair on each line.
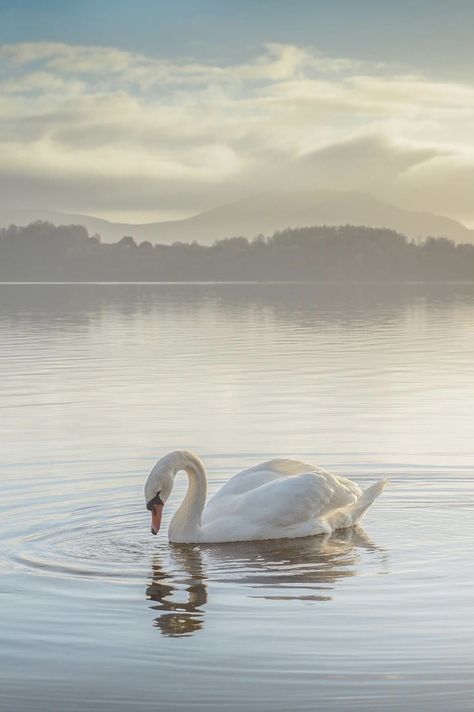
[42,251]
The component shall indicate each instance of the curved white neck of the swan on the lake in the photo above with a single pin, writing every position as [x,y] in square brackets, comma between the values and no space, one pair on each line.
[186,523]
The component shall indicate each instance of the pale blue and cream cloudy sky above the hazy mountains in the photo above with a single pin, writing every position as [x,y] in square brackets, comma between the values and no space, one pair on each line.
[148,110]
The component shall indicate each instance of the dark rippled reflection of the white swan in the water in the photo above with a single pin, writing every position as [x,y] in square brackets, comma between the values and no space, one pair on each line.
[280,569]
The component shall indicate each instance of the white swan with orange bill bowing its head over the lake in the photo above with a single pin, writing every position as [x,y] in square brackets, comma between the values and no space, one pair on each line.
[278,499]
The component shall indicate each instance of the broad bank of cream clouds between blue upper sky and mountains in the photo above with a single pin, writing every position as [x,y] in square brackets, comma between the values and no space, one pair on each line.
[97,129]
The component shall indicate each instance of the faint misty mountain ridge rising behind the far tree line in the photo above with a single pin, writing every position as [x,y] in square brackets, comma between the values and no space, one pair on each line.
[264,214]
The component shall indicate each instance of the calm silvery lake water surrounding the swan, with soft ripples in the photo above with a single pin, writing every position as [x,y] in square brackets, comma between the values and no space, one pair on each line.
[97,382]
